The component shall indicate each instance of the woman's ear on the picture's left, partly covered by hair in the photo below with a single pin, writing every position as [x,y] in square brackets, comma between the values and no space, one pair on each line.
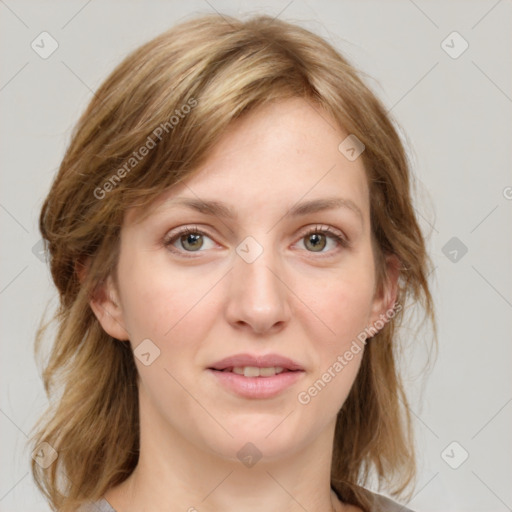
[106,305]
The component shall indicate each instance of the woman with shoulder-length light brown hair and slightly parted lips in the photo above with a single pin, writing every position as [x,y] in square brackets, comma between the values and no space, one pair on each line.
[233,240]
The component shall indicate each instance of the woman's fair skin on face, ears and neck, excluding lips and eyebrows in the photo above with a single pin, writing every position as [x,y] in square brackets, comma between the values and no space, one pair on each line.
[293,300]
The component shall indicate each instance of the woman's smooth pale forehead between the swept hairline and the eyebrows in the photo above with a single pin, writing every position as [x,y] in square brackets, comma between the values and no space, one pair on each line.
[284,154]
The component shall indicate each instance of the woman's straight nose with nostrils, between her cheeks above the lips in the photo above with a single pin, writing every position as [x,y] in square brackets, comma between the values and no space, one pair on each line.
[258,293]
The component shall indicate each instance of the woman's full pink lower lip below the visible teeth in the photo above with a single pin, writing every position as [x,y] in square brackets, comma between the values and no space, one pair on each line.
[257,387]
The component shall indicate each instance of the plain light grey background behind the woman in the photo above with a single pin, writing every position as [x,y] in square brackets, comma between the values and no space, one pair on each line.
[455,113]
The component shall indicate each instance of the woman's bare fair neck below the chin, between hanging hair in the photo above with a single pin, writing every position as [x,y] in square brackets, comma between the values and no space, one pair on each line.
[174,474]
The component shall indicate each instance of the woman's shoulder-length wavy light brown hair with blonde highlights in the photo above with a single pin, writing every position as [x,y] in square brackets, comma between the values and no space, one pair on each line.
[174,96]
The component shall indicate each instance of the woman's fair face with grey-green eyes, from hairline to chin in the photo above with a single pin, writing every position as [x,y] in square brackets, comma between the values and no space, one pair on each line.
[268,280]
